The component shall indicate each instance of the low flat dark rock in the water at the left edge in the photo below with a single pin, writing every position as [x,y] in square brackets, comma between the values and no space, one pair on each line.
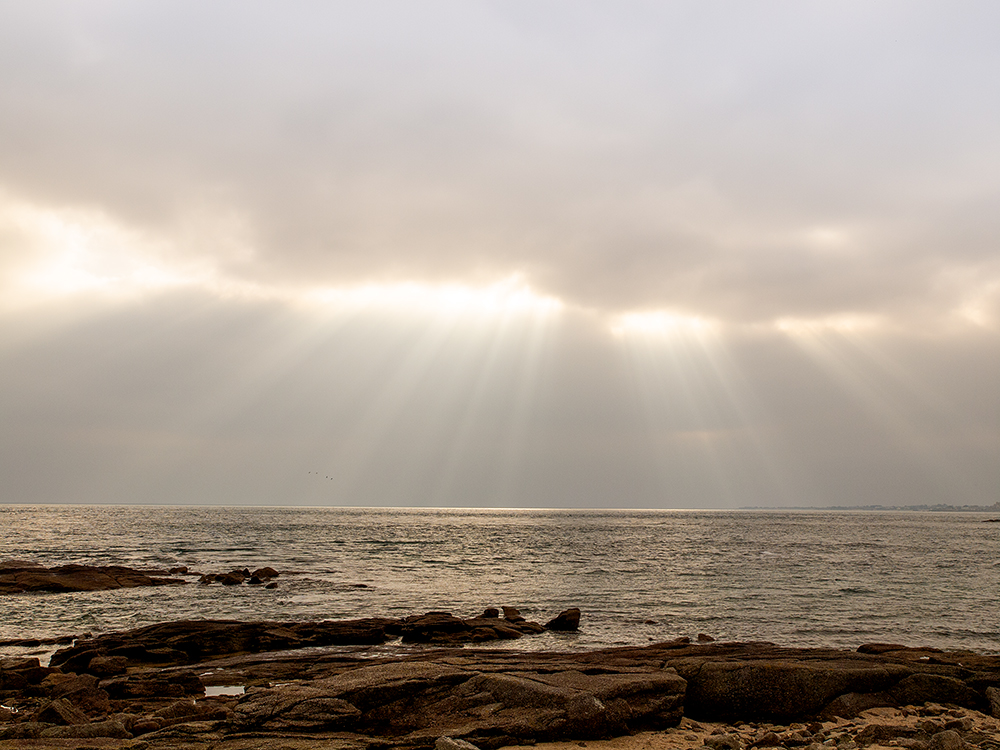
[19,580]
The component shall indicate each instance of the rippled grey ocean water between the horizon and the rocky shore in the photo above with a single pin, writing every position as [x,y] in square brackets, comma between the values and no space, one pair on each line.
[794,578]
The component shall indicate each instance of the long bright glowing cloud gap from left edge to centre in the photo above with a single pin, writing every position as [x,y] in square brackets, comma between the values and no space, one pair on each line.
[71,253]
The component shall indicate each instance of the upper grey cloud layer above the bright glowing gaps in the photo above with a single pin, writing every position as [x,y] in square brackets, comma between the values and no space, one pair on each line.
[741,163]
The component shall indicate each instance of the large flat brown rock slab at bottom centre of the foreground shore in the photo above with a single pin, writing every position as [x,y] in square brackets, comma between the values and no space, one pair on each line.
[415,702]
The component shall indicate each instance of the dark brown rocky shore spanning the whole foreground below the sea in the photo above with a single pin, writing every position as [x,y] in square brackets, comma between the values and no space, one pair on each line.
[230,685]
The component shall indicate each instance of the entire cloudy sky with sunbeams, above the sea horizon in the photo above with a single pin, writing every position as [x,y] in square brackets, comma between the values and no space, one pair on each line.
[505,254]
